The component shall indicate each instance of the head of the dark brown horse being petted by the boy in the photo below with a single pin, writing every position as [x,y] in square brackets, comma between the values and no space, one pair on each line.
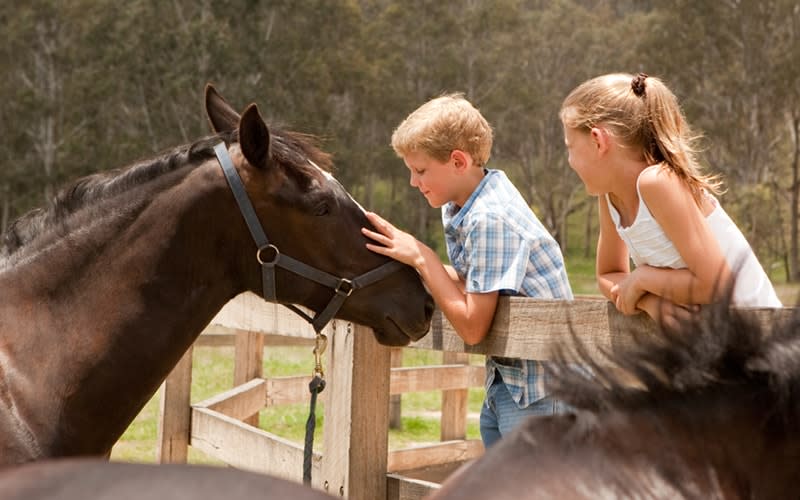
[309,218]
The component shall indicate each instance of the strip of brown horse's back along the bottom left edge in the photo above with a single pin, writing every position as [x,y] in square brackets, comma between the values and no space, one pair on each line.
[75,479]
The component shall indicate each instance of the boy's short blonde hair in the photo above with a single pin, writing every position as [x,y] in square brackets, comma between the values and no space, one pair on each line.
[442,125]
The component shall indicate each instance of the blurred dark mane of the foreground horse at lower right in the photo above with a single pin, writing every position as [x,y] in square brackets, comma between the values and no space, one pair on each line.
[718,346]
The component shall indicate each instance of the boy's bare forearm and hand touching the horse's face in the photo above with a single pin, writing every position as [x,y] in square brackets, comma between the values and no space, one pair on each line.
[470,314]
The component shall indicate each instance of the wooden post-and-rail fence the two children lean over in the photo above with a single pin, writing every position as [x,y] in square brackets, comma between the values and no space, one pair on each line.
[356,462]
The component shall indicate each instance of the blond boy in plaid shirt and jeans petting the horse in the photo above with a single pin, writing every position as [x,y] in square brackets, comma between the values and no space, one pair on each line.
[495,243]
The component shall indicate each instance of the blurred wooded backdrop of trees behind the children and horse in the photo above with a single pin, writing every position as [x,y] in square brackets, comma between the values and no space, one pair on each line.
[88,93]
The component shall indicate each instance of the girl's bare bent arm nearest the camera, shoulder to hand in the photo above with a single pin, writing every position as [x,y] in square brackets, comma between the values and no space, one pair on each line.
[684,223]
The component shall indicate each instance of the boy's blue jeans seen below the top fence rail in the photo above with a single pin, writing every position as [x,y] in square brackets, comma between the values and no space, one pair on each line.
[500,414]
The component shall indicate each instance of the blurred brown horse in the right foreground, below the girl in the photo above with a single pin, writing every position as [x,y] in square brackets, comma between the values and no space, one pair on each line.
[708,410]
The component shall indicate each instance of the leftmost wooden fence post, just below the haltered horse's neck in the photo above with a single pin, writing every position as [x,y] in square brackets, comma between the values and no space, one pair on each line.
[174,421]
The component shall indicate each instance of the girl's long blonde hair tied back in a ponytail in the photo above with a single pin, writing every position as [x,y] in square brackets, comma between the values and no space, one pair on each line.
[640,112]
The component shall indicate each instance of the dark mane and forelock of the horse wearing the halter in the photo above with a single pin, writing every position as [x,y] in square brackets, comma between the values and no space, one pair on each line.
[290,150]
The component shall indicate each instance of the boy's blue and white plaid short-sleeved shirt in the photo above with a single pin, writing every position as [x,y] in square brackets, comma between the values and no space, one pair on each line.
[496,243]
